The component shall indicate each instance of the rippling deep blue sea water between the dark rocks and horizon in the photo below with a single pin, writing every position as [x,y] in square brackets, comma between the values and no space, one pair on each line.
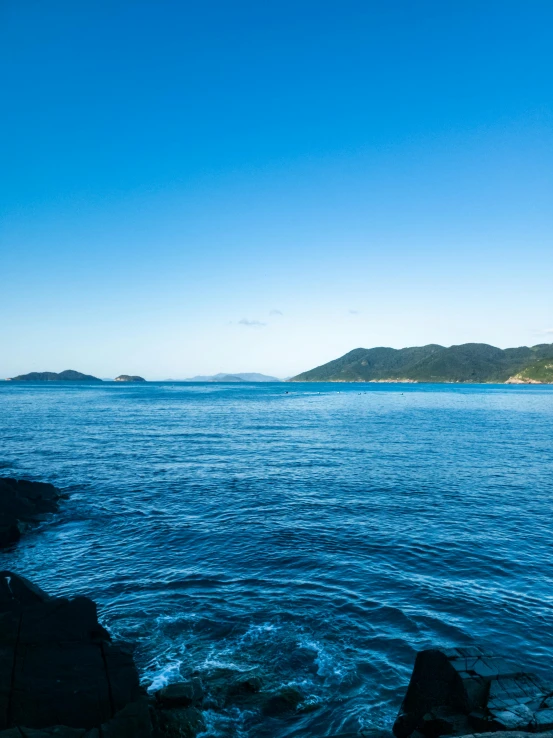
[322,536]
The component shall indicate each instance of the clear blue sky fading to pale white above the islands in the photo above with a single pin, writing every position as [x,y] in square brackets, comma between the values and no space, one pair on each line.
[195,187]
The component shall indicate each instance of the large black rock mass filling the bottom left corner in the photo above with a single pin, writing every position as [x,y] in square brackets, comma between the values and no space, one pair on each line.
[58,667]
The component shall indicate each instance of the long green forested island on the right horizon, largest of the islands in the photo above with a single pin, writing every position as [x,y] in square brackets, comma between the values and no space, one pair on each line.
[468,362]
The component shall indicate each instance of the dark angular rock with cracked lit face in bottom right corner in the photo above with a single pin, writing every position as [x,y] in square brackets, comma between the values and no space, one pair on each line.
[465,691]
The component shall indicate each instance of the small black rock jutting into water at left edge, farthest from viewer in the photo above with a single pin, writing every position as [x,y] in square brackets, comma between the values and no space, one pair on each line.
[23,503]
